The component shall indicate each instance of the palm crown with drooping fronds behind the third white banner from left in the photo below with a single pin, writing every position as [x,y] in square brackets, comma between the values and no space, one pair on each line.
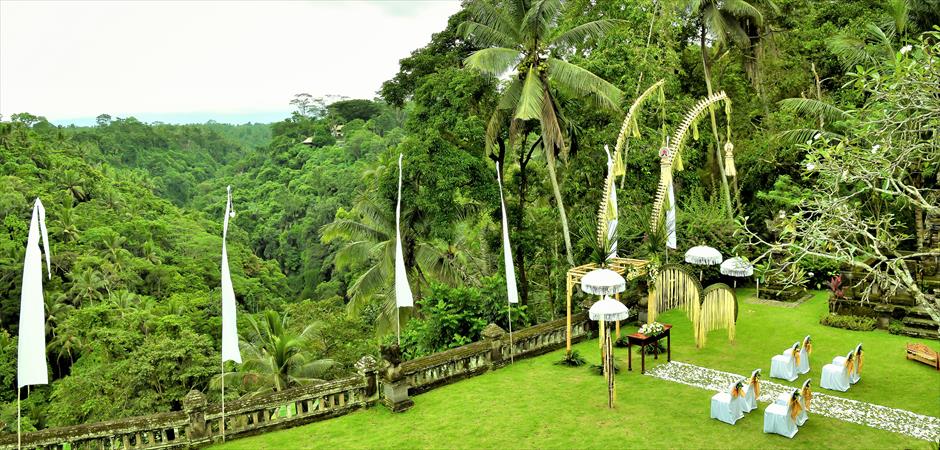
[368,236]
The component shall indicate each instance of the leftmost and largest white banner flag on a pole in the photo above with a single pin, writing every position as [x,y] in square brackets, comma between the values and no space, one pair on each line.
[31,366]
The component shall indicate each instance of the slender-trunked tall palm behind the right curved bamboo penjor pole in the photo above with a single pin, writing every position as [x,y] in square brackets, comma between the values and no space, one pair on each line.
[729,23]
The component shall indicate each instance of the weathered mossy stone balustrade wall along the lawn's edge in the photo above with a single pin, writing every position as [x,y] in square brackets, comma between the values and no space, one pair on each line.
[200,424]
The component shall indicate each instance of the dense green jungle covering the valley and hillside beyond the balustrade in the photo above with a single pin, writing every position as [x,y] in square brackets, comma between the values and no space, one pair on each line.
[135,209]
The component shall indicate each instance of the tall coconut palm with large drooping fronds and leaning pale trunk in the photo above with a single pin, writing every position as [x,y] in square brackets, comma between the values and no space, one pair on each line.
[525,36]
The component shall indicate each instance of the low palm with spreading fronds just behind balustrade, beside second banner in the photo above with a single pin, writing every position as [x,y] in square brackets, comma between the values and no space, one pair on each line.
[274,357]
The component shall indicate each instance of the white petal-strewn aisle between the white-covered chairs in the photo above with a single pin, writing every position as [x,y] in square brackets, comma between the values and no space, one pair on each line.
[863,413]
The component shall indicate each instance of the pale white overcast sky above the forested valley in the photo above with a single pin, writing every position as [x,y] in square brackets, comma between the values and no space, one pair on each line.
[189,61]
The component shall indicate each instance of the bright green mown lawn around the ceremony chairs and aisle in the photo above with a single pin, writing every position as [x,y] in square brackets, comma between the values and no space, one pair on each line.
[536,404]
